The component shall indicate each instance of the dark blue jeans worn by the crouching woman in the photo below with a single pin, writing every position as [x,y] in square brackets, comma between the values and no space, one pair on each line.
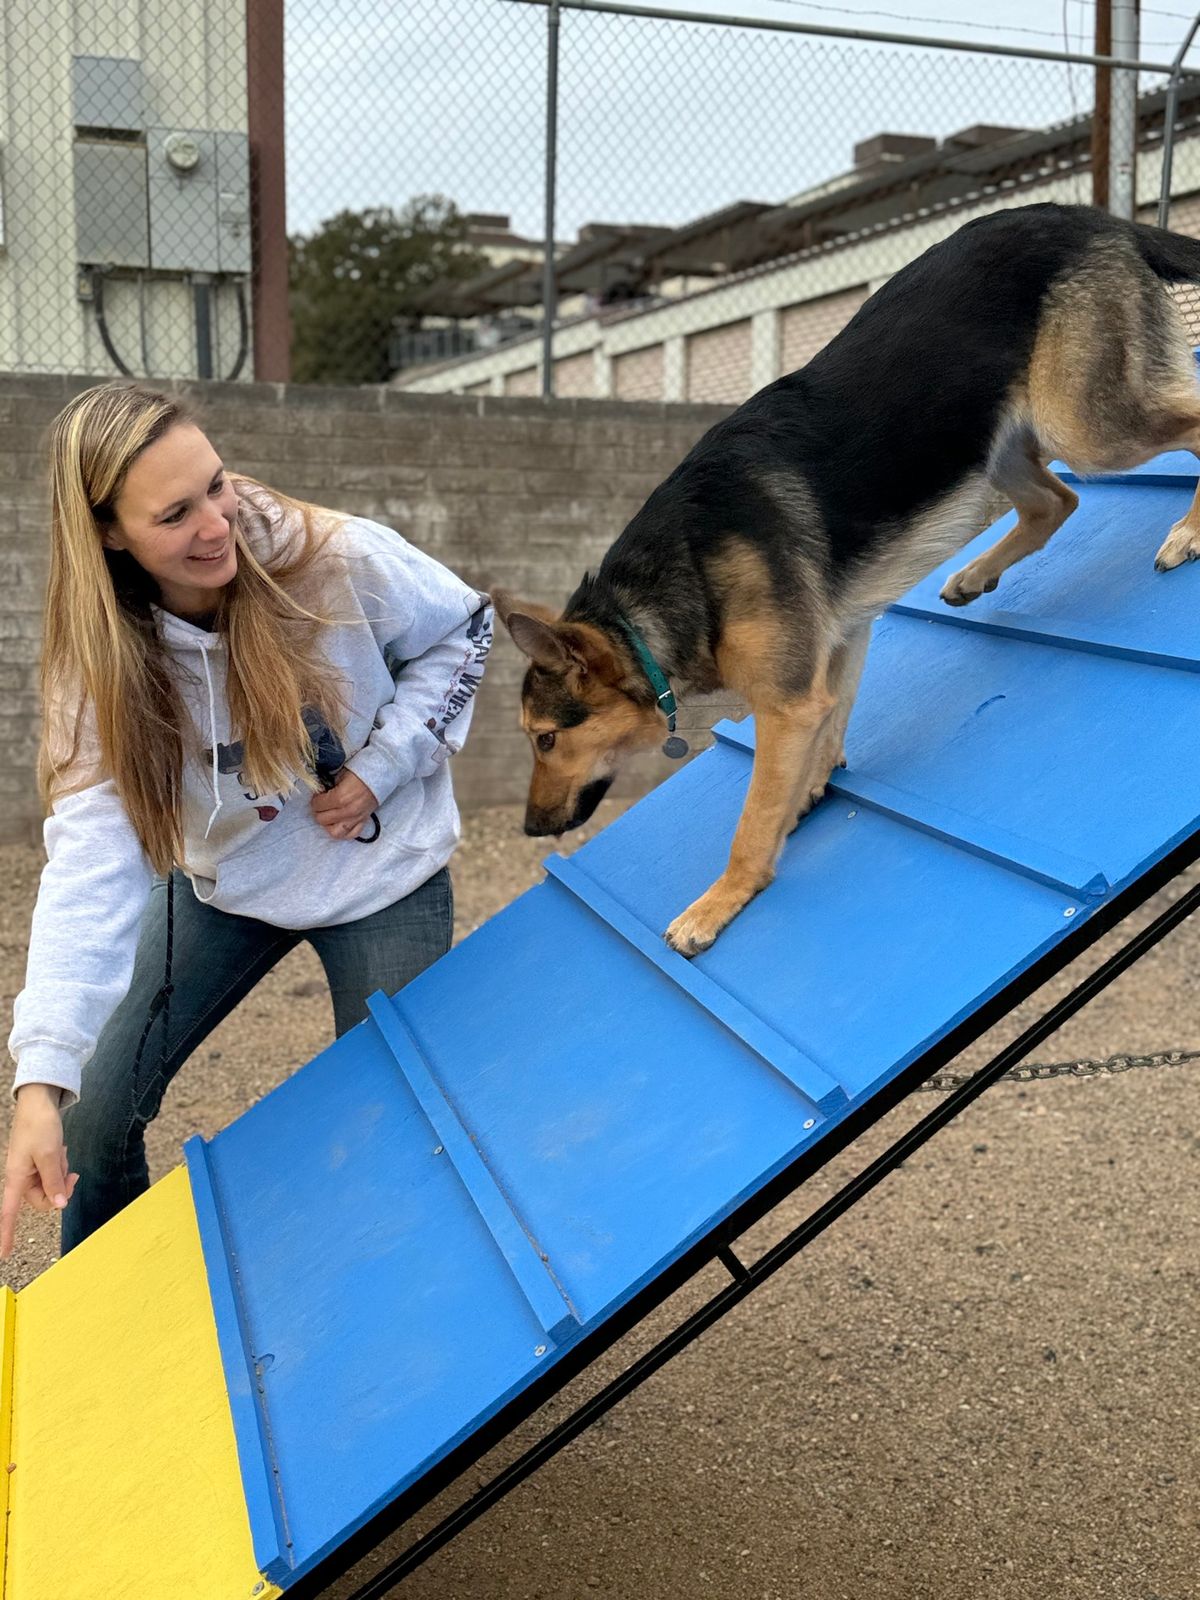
[217,961]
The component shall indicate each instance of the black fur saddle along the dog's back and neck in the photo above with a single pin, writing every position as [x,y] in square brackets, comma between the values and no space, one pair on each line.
[889,418]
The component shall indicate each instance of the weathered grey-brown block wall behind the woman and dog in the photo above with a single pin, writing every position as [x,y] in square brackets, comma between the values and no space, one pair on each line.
[508,494]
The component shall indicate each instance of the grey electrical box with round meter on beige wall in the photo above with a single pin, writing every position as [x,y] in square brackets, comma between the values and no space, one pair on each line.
[199,191]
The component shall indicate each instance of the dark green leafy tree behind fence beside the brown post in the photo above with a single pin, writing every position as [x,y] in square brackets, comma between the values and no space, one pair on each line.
[359,276]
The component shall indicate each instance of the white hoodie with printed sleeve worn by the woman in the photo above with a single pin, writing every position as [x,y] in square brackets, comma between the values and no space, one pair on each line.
[409,642]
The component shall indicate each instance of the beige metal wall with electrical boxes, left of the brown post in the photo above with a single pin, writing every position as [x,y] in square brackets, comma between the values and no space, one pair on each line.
[126,236]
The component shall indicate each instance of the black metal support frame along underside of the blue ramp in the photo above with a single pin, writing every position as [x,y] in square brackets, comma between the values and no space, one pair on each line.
[718,1246]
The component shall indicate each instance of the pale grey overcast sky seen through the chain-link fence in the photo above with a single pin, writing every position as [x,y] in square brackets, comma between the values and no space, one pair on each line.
[660,122]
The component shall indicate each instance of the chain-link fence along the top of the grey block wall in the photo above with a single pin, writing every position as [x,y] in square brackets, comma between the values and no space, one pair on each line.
[350,191]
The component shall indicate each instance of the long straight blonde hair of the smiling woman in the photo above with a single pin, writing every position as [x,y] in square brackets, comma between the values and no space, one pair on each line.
[106,674]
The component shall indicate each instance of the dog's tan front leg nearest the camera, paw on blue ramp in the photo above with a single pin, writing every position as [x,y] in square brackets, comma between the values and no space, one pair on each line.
[783,754]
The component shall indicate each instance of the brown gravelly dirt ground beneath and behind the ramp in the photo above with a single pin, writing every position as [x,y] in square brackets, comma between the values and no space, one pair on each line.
[982,1382]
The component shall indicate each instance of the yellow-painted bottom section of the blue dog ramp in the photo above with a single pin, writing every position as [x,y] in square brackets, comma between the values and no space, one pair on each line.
[124,1476]
